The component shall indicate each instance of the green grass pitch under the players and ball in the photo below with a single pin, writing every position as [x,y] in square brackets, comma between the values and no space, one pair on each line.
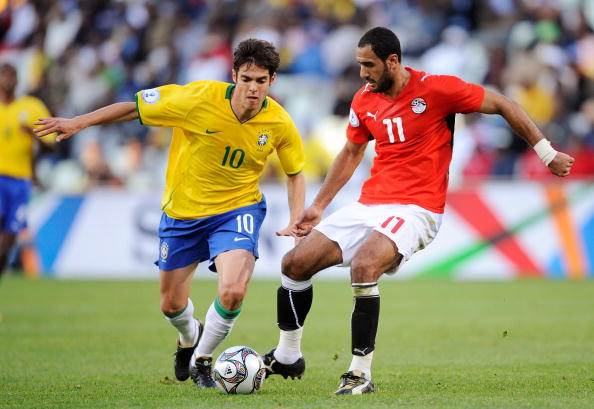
[104,344]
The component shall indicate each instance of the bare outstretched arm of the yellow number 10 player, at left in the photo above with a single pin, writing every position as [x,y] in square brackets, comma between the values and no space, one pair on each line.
[66,127]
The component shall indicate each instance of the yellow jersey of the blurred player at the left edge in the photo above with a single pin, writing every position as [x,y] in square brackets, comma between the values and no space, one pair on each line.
[16,139]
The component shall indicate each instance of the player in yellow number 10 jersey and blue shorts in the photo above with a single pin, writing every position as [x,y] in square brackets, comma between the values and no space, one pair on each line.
[212,205]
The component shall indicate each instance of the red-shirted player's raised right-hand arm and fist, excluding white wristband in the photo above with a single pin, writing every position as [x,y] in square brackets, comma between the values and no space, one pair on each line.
[520,122]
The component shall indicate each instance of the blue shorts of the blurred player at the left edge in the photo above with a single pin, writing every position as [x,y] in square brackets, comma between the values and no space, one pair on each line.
[14,195]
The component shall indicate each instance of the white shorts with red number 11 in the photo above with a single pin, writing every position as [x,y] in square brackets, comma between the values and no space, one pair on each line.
[410,227]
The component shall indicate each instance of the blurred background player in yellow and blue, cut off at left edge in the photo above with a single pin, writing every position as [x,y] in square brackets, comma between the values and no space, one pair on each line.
[17,116]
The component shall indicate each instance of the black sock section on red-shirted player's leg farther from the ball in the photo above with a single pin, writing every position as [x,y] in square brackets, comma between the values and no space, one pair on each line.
[364,322]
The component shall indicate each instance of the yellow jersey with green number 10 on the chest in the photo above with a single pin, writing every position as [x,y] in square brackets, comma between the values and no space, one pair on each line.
[215,161]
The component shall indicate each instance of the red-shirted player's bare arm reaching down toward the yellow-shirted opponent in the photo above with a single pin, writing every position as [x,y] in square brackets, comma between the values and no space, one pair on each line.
[340,172]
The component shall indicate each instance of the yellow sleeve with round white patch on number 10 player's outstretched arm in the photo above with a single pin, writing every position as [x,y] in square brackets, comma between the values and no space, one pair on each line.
[163,106]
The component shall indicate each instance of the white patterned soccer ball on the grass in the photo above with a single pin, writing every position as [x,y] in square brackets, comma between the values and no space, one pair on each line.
[239,369]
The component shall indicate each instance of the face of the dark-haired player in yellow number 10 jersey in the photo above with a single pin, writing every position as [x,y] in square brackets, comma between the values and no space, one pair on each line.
[251,85]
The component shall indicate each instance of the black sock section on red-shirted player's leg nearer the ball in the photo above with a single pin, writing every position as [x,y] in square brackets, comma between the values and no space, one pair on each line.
[292,307]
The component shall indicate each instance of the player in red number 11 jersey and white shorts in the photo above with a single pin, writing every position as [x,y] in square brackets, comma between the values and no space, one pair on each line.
[410,115]
